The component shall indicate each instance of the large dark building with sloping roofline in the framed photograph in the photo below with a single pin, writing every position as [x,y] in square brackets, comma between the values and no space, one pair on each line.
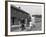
[19,16]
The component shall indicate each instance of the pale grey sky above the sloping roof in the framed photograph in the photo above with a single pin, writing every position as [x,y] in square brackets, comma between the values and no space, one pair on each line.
[31,9]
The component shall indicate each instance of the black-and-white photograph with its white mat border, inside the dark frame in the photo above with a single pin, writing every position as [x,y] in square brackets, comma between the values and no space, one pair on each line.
[25,18]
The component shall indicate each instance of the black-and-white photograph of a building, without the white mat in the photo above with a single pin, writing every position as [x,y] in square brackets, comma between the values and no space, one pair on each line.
[26,18]
